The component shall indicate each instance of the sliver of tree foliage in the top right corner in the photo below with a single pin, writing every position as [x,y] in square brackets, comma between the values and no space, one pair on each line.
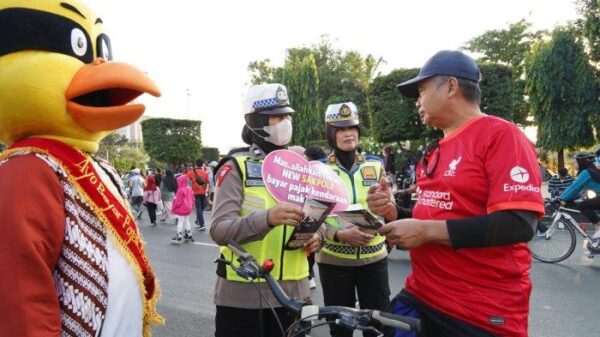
[590,25]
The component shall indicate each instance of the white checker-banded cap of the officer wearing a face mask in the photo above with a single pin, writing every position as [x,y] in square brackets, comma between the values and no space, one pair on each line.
[268,99]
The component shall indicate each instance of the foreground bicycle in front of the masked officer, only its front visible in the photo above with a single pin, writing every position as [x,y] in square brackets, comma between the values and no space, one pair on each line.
[312,316]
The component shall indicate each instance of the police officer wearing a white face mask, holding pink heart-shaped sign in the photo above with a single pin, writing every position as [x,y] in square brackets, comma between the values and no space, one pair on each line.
[244,211]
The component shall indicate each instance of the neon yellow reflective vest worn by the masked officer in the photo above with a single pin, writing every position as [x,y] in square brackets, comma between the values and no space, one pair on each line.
[289,264]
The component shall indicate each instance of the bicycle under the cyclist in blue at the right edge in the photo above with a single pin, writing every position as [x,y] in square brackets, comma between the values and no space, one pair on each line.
[555,239]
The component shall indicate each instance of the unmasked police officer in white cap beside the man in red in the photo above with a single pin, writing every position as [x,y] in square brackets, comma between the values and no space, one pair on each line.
[352,260]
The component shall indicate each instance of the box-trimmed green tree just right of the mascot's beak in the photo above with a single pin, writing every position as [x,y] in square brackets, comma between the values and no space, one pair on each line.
[173,141]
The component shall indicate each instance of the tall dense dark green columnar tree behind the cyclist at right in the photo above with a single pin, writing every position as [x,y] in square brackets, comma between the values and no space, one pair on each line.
[563,93]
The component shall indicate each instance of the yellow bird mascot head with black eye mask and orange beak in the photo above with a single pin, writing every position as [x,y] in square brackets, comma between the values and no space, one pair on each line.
[57,78]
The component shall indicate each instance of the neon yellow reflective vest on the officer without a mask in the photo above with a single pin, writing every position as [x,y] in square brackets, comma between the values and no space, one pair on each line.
[358,183]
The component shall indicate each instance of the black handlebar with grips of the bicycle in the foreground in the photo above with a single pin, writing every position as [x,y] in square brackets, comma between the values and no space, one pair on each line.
[345,316]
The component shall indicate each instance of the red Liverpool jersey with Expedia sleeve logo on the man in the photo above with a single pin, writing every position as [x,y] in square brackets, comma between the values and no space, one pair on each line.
[487,165]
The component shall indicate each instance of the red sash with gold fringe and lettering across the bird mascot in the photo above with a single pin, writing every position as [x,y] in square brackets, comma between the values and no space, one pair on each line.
[110,210]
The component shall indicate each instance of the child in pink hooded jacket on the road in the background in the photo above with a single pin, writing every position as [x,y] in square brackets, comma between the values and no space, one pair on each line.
[183,205]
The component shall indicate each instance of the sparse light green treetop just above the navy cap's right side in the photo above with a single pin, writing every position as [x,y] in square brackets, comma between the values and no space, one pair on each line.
[506,46]
